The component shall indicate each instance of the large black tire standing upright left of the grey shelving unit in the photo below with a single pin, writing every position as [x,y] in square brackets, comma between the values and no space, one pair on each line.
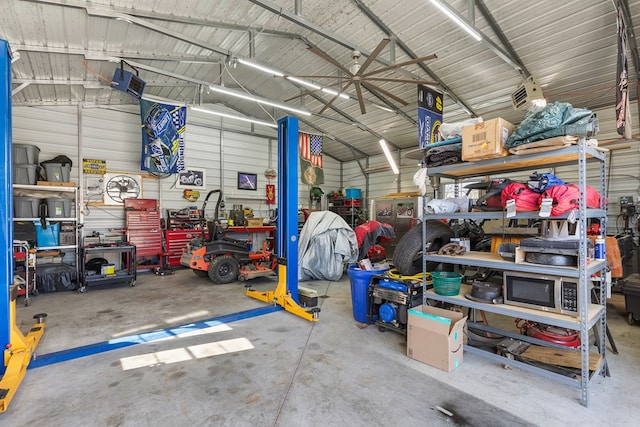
[407,256]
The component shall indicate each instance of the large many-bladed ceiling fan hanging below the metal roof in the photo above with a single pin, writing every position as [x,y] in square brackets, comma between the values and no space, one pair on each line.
[357,76]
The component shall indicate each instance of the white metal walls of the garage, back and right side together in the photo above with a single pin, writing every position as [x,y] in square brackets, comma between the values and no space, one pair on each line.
[224,148]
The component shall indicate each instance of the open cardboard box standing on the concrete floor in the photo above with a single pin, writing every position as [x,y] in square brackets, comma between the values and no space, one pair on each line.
[435,337]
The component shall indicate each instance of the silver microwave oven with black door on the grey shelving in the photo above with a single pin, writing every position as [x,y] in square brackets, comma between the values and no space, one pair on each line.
[555,294]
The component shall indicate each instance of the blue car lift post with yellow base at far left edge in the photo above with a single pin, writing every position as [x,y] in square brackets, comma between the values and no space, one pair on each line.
[18,349]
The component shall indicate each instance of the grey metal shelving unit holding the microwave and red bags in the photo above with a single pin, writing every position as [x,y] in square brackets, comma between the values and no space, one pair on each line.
[590,315]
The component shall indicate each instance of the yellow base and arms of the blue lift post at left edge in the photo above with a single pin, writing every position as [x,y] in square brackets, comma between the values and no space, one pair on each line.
[18,353]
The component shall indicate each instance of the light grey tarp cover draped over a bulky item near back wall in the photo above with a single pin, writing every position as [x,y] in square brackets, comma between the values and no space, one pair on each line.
[326,243]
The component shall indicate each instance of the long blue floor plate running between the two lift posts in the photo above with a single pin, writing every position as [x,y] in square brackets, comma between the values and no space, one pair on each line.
[128,341]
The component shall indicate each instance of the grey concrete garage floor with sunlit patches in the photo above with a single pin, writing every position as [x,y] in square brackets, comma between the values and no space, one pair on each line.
[277,369]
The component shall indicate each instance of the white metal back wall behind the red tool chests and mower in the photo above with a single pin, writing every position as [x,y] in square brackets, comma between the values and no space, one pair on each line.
[112,134]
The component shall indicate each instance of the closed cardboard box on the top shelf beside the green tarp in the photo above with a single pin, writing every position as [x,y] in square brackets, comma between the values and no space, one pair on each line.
[485,140]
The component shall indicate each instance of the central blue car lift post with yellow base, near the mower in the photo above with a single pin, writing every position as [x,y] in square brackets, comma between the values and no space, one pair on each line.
[286,292]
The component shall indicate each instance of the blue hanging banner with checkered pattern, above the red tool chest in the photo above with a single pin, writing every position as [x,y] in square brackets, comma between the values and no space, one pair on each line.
[163,128]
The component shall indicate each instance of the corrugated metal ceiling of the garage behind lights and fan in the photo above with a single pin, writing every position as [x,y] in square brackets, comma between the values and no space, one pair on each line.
[181,48]
